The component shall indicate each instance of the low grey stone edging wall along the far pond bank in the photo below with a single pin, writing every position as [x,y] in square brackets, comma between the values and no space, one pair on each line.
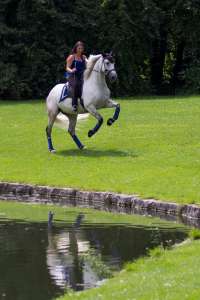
[98,200]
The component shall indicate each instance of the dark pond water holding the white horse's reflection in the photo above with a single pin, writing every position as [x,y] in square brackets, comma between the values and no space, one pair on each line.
[41,262]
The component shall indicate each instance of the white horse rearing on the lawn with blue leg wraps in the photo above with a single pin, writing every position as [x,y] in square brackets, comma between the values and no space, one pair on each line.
[95,95]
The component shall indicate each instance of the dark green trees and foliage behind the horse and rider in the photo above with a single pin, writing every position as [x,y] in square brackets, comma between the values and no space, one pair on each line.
[156,43]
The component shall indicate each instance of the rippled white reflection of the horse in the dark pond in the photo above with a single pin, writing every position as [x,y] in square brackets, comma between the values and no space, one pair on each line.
[65,260]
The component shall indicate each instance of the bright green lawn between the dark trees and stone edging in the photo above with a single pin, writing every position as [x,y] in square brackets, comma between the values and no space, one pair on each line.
[153,150]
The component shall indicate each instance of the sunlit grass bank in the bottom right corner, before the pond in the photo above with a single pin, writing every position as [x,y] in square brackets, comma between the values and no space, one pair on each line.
[165,275]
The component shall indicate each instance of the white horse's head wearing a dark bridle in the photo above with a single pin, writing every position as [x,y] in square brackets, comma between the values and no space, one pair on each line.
[108,66]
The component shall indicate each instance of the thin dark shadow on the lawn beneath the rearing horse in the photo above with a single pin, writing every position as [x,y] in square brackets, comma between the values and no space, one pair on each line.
[95,153]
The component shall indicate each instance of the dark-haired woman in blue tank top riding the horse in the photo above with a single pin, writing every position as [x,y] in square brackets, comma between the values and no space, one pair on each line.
[75,66]
